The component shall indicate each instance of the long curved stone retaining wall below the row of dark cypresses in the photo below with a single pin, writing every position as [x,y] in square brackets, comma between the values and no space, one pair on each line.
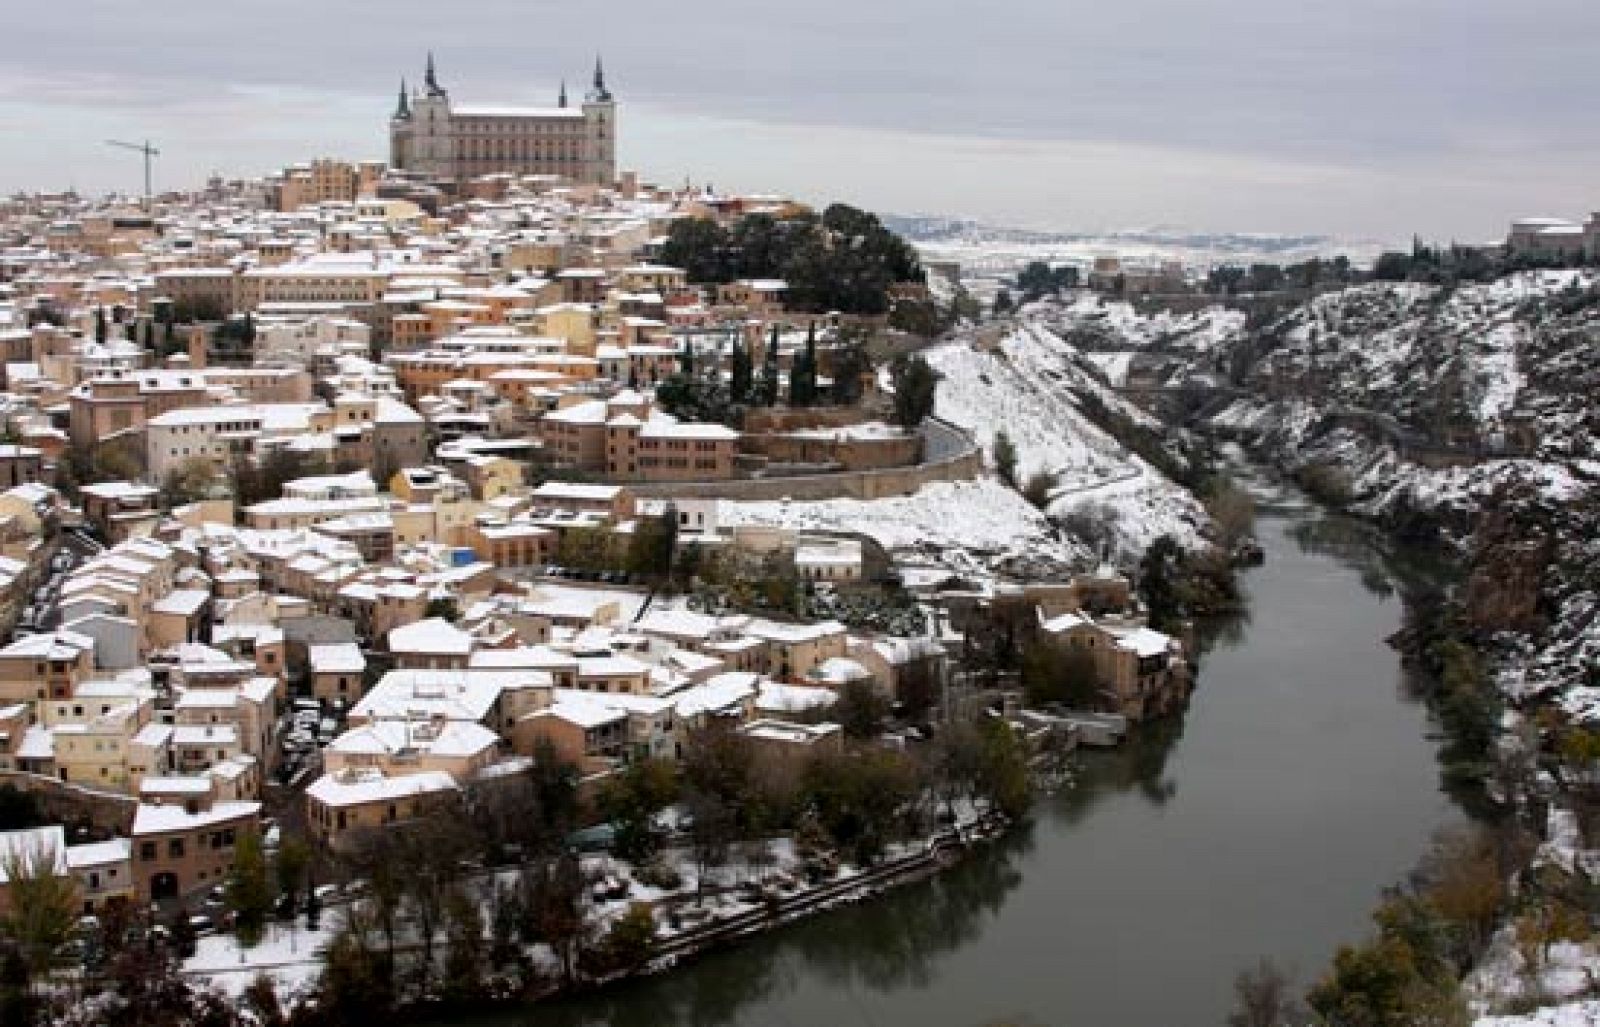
[951,455]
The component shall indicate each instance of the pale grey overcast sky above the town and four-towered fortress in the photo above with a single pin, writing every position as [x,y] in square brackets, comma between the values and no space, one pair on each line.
[1356,118]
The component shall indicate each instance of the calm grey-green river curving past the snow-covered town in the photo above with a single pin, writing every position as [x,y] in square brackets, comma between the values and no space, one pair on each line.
[1265,821]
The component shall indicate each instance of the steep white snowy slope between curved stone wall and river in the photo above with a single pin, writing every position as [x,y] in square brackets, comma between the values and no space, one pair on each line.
[1031,388]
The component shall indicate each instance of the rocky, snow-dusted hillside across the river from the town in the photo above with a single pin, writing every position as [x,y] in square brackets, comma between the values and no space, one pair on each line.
[1450,404]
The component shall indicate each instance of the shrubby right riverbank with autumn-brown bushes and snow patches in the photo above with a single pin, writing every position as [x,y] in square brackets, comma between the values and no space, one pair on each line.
[1521,945]
